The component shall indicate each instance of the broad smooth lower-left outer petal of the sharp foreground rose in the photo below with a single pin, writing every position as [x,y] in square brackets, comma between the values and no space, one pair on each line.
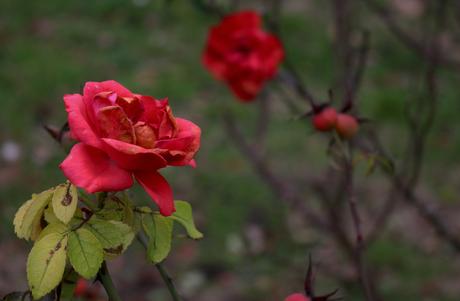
[91,169]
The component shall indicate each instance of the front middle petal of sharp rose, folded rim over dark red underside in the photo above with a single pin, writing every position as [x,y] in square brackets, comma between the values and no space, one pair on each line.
[133,157]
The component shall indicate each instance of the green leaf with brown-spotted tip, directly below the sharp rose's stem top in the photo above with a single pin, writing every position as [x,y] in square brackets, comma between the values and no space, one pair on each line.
[114,236]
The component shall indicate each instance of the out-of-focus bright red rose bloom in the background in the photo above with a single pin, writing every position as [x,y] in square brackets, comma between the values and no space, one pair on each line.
[240,53]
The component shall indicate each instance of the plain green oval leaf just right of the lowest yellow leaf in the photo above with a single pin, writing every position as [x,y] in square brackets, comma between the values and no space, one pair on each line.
[85,252]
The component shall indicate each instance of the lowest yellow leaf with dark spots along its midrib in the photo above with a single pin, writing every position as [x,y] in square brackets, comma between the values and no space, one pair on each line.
[46,264]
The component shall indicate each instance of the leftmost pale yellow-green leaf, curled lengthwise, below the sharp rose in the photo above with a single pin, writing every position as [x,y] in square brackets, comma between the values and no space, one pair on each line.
[27,219]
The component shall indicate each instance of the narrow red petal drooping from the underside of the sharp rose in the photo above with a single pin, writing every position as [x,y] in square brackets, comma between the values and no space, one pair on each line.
[158,189]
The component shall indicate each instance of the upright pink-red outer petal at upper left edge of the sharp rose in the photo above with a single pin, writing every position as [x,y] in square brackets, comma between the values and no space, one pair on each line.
[78,122]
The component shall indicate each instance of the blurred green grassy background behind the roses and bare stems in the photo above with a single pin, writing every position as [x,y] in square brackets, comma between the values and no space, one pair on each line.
[255,247]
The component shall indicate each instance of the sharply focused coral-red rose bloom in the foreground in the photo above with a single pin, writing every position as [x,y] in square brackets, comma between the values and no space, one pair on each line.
[122,135]
